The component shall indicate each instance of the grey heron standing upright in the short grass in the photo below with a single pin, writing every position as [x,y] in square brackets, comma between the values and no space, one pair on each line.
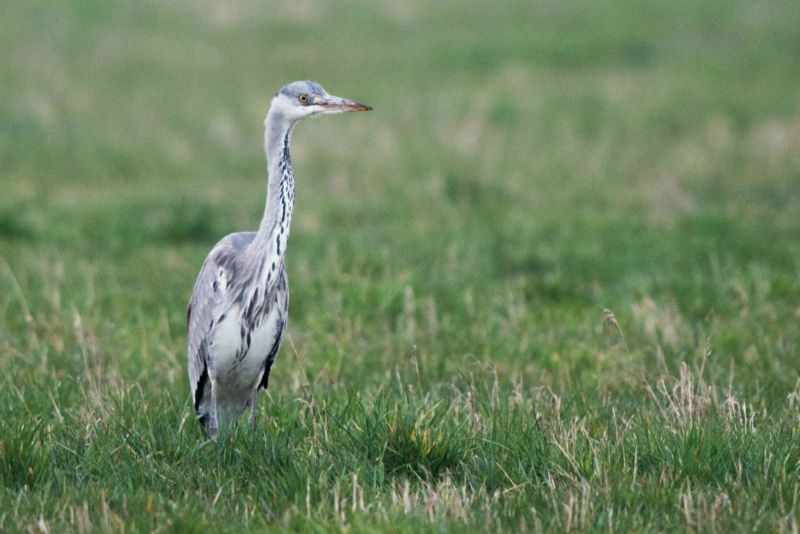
[238,309]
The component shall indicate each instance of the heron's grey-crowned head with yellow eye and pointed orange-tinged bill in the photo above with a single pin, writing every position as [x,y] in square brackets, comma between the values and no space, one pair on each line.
[306,99]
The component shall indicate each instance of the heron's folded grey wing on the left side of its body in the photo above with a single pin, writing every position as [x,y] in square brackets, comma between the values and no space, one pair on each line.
[209,299]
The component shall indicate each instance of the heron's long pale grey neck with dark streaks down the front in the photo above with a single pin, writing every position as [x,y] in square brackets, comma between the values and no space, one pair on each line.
[273,233]
